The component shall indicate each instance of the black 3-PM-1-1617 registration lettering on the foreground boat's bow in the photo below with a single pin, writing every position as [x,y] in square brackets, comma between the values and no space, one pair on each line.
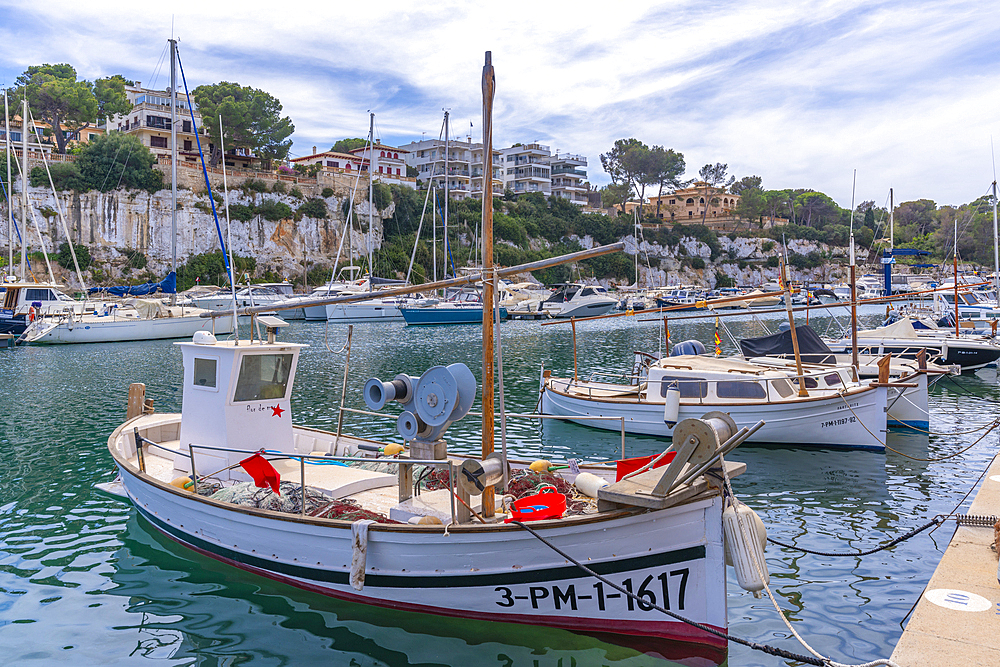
[666,589]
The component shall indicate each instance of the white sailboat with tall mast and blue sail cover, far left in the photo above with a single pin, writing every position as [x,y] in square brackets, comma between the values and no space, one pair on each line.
[135,319]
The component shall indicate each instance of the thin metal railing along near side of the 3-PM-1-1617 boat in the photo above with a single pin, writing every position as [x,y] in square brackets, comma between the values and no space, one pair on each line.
[302,459]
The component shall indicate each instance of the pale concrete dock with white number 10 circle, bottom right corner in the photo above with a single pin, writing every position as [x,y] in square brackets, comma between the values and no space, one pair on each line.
[957,621]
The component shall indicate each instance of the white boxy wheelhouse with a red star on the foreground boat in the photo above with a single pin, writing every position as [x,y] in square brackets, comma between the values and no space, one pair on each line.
[249,386]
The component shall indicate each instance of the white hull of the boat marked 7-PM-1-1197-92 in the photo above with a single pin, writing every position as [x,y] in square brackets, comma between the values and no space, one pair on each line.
[822,422]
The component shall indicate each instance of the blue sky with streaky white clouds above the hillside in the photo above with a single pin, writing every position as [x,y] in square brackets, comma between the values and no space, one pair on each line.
[801,94]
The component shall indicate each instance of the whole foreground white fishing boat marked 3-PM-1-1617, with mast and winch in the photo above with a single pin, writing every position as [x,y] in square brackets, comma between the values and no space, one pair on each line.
[362,534]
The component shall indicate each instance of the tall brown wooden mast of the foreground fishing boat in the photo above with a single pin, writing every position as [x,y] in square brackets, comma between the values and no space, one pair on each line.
[489,282]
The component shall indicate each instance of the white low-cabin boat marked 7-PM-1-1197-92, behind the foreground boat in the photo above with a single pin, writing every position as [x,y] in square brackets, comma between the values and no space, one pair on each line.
[836,412]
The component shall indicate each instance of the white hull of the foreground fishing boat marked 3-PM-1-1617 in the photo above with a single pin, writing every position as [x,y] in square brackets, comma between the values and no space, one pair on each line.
[501,575]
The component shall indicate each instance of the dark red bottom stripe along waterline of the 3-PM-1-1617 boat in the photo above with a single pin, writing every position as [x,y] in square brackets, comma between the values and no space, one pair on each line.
[671,640]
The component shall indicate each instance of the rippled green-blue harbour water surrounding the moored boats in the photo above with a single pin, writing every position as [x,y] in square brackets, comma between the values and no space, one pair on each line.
[83,581]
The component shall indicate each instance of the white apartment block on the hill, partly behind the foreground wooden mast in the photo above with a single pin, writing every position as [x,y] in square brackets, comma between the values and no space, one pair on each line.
[461,168]
